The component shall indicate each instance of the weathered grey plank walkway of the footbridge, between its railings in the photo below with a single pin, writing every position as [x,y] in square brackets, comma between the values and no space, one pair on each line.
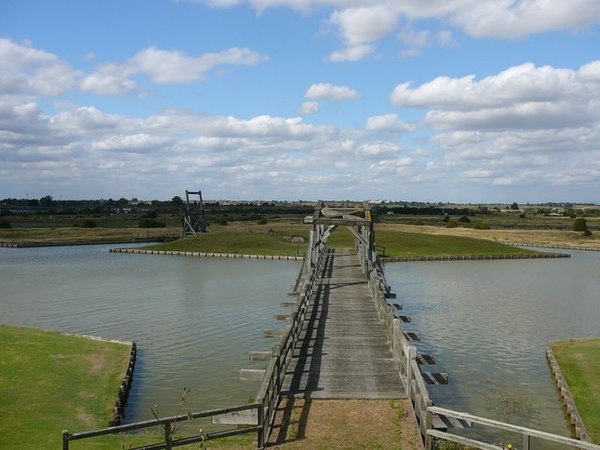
[343,352]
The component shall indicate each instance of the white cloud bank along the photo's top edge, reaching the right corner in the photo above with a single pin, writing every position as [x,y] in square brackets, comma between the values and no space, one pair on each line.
[362,23]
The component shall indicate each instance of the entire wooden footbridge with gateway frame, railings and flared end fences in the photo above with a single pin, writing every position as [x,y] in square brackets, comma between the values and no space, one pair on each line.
[343,339]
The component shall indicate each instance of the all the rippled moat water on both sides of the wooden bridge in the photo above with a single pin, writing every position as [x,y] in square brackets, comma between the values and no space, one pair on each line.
[195,321]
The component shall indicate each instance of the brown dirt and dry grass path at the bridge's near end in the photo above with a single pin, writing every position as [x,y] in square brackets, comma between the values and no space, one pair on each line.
[347,424]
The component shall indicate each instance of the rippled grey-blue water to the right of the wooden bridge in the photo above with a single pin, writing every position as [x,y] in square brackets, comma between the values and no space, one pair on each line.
[489,323]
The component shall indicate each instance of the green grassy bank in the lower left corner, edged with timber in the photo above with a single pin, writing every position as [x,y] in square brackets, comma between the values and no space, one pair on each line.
[50,382]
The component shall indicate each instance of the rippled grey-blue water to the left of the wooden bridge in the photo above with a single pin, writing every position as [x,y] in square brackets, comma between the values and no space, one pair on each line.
[194,320]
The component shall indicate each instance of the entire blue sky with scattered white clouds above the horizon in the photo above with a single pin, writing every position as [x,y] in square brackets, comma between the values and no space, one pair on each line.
[470,101]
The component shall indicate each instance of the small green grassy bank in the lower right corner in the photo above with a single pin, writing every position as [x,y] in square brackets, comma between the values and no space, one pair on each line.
[579,362]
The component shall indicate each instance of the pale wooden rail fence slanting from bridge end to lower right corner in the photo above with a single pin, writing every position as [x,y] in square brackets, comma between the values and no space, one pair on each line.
[527,433]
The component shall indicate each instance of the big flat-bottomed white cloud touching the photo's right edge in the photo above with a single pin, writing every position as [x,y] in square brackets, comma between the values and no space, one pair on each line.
[523,96]
